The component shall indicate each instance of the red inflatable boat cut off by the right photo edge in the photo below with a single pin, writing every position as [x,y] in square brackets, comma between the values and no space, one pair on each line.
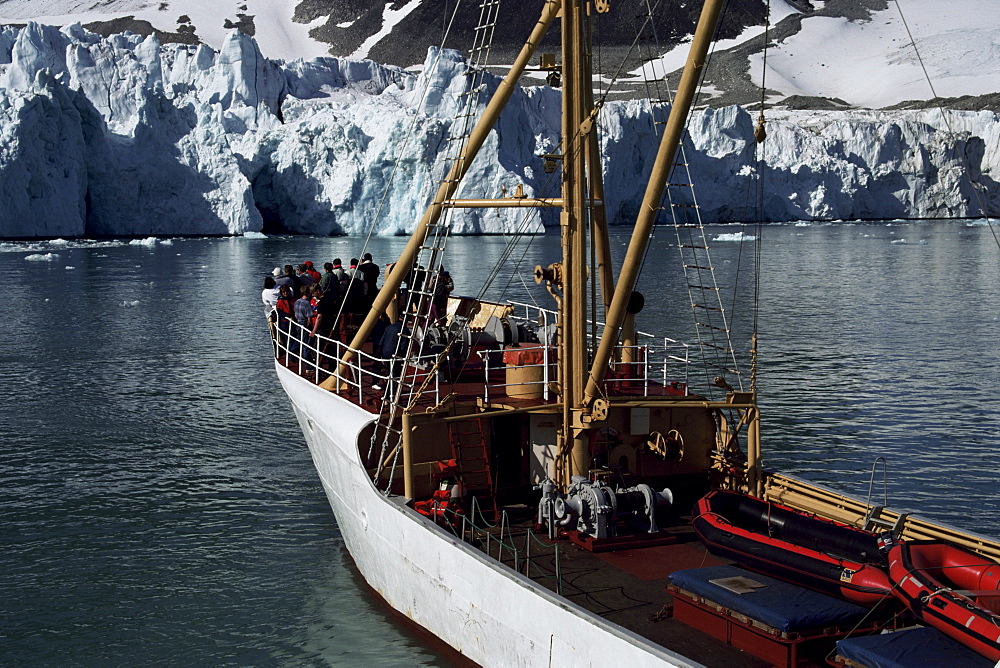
[952,589]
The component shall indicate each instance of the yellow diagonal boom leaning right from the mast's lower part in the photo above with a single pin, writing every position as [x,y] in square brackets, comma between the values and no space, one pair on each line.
[654,194]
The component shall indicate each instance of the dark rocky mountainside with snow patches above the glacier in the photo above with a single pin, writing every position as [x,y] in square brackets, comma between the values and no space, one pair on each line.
[858,52]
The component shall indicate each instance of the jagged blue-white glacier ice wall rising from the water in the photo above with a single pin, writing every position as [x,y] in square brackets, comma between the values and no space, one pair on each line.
[123,136]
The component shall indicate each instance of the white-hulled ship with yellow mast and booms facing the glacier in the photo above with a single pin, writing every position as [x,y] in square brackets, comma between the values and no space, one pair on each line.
[518,480]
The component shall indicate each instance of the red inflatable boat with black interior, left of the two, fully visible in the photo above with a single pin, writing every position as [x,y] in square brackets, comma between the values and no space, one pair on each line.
[803,549]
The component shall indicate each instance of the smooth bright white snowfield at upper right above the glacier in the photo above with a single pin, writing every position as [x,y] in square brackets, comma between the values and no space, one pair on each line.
[873,63]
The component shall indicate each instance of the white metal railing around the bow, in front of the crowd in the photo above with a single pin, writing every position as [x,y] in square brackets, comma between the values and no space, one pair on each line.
[317,358]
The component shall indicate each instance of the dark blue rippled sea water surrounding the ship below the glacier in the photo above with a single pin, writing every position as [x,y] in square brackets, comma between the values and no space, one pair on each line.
[160,506]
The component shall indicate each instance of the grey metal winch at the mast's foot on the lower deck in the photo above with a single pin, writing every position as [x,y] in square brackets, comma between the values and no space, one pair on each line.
[594,508]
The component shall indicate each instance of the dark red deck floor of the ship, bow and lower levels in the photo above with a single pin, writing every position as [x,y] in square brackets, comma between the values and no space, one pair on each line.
[627,586]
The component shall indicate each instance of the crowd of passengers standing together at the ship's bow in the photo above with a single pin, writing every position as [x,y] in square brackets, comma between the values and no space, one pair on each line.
[333,304]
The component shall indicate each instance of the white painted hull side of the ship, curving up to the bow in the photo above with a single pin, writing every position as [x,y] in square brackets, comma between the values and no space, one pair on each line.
[485,610]
